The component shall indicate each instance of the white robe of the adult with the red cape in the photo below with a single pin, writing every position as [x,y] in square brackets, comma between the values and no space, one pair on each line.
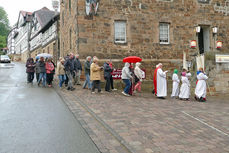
[161,83]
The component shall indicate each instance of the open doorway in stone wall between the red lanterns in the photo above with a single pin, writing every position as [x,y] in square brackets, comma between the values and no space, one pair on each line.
[204,39]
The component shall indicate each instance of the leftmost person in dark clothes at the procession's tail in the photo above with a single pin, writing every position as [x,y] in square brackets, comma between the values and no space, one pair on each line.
[30,65]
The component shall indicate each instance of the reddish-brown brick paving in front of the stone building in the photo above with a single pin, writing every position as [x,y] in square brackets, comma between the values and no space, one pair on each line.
[145,124]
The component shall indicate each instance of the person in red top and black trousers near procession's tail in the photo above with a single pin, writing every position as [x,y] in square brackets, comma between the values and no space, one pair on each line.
[49,71]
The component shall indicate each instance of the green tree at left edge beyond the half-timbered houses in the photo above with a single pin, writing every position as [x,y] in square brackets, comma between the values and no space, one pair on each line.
[4,22]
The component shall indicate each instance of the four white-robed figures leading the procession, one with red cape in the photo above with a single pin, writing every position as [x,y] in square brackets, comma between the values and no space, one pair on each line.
[183,93]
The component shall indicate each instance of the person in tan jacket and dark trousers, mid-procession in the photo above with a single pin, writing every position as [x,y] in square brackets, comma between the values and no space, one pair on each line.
[95,77]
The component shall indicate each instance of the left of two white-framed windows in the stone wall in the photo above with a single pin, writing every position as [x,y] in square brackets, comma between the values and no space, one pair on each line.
[120,31]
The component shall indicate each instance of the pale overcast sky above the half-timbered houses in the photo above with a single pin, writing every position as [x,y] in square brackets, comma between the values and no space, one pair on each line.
[12,7]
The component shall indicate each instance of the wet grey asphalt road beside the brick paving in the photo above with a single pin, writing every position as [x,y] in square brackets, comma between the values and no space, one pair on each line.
[34,119]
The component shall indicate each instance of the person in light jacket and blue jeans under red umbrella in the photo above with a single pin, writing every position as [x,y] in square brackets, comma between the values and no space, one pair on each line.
[126,77]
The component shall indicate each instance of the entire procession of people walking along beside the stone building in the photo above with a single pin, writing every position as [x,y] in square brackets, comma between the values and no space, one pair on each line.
[69,71]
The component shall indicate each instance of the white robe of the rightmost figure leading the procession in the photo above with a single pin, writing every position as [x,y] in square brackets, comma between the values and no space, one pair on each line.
[201,86]
